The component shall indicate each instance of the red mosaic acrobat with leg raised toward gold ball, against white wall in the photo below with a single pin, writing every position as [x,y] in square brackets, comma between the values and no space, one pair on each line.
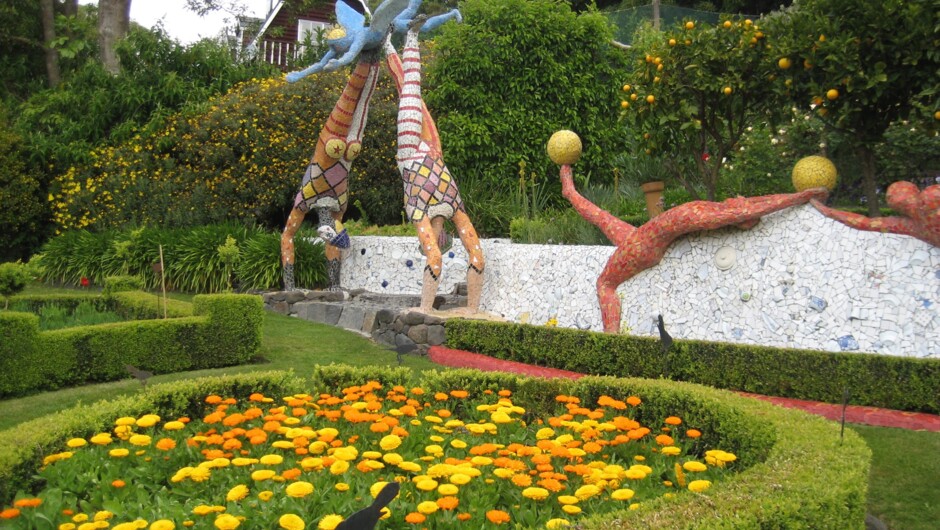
[639,248]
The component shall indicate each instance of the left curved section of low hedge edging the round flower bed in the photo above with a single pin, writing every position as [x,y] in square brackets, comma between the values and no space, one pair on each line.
[23,447]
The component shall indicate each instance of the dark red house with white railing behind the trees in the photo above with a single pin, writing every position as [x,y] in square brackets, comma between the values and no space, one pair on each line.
[279,38]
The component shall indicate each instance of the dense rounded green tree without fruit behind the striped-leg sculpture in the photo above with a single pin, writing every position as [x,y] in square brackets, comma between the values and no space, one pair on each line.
[513,73]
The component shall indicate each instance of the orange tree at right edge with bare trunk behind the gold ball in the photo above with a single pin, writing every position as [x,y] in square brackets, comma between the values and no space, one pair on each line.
[862,65]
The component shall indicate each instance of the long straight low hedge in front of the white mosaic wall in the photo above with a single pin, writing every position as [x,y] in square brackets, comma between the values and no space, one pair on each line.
[900,383]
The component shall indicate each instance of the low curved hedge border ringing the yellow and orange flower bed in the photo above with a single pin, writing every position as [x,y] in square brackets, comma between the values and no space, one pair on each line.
[797,472]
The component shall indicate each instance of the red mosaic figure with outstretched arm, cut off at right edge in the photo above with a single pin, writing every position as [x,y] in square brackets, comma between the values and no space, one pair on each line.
[920,213]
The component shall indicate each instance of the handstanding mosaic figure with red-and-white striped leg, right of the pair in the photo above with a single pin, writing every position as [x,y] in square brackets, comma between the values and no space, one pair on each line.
[431,193]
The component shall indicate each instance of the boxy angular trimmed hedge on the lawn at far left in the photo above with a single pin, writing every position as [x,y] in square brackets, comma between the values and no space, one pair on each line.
[223,330]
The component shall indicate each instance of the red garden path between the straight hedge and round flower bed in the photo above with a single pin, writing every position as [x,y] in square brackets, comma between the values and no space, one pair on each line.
[854,414]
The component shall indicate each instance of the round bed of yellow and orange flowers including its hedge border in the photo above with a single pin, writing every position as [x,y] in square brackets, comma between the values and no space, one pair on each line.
[253,462]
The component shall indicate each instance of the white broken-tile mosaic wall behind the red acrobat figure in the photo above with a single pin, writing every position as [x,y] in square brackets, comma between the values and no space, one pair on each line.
[797,279]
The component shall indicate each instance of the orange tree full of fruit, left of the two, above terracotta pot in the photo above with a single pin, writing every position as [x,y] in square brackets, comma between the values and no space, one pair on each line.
[693,92]
